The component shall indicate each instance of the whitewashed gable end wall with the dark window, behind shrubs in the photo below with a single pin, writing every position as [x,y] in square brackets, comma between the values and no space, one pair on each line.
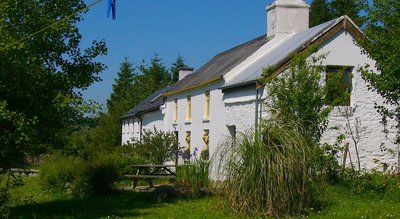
[342,51]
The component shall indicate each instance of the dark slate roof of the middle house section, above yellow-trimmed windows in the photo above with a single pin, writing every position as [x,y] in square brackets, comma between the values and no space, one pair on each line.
[220,64]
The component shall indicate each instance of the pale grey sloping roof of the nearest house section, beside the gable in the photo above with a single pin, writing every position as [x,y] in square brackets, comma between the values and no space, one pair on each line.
[279,54]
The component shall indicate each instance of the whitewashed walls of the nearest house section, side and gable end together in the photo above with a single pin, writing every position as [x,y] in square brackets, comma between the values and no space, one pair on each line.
[340,50]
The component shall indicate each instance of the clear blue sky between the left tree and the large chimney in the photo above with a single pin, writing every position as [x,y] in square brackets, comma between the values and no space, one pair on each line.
[194,29]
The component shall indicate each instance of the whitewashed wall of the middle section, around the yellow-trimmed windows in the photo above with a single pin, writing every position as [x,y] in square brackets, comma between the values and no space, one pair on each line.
[215,124]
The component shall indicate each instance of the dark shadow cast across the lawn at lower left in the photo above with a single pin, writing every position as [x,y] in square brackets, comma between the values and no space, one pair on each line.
[121,204]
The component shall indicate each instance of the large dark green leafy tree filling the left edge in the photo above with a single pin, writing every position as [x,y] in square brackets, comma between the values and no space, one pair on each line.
[41,72]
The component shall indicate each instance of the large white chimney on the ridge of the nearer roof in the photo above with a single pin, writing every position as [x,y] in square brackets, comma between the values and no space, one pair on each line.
[287,16]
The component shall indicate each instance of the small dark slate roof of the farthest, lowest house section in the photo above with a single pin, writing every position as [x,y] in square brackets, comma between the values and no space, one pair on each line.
[152,102]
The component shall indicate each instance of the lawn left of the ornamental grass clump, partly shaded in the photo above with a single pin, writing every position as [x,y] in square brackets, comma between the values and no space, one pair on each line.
[34,203]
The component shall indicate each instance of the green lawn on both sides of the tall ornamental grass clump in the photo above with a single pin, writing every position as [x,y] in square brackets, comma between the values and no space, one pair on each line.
[32,202]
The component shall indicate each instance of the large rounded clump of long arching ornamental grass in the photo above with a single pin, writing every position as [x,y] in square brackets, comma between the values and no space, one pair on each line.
[271,172]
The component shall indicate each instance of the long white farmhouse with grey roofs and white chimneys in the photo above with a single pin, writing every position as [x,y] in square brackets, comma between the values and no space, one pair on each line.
[223,97]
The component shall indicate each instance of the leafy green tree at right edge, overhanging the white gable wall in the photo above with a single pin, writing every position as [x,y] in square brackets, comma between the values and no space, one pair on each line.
[382,31]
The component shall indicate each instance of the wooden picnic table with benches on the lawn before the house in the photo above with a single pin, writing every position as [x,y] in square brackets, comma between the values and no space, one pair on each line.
[149,172]
